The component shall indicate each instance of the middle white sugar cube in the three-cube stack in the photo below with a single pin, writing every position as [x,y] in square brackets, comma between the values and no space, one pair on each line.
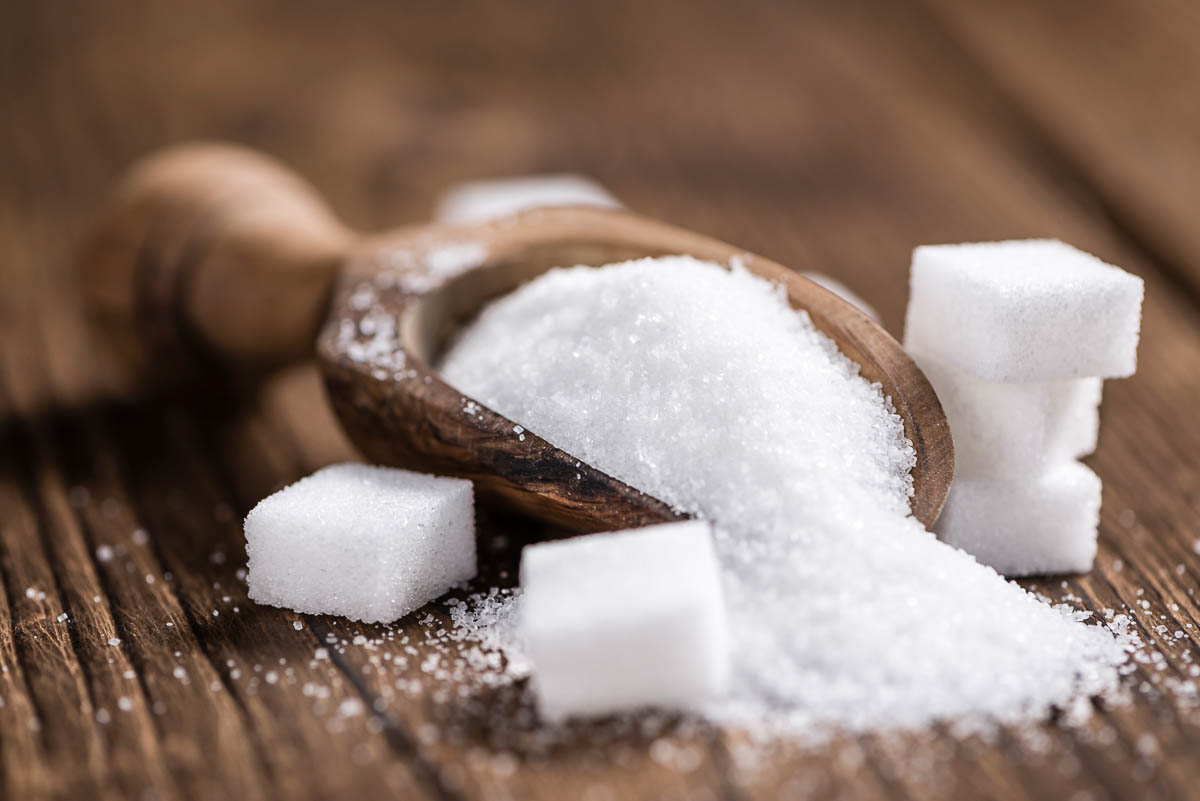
[1005,430]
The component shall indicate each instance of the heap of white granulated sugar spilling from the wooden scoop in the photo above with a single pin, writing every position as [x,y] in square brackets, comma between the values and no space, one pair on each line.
[705,389]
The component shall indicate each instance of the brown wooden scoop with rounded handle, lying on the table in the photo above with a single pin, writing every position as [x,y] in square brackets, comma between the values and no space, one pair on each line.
[215,258]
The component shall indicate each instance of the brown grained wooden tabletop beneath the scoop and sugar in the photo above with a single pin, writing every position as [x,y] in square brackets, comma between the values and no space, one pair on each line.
[832,137]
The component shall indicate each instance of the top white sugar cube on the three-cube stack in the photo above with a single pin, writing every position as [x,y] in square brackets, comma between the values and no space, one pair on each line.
[1024,311]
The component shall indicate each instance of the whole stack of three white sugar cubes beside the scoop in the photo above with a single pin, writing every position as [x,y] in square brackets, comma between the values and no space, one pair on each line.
[1016,339]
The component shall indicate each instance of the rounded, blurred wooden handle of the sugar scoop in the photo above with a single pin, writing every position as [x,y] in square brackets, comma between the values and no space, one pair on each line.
[211,255]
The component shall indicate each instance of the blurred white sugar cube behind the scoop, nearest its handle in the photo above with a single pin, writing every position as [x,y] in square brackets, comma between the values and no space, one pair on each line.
[484,201]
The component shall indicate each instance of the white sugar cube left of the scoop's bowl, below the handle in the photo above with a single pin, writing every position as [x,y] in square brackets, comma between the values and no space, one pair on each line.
[365,543]
